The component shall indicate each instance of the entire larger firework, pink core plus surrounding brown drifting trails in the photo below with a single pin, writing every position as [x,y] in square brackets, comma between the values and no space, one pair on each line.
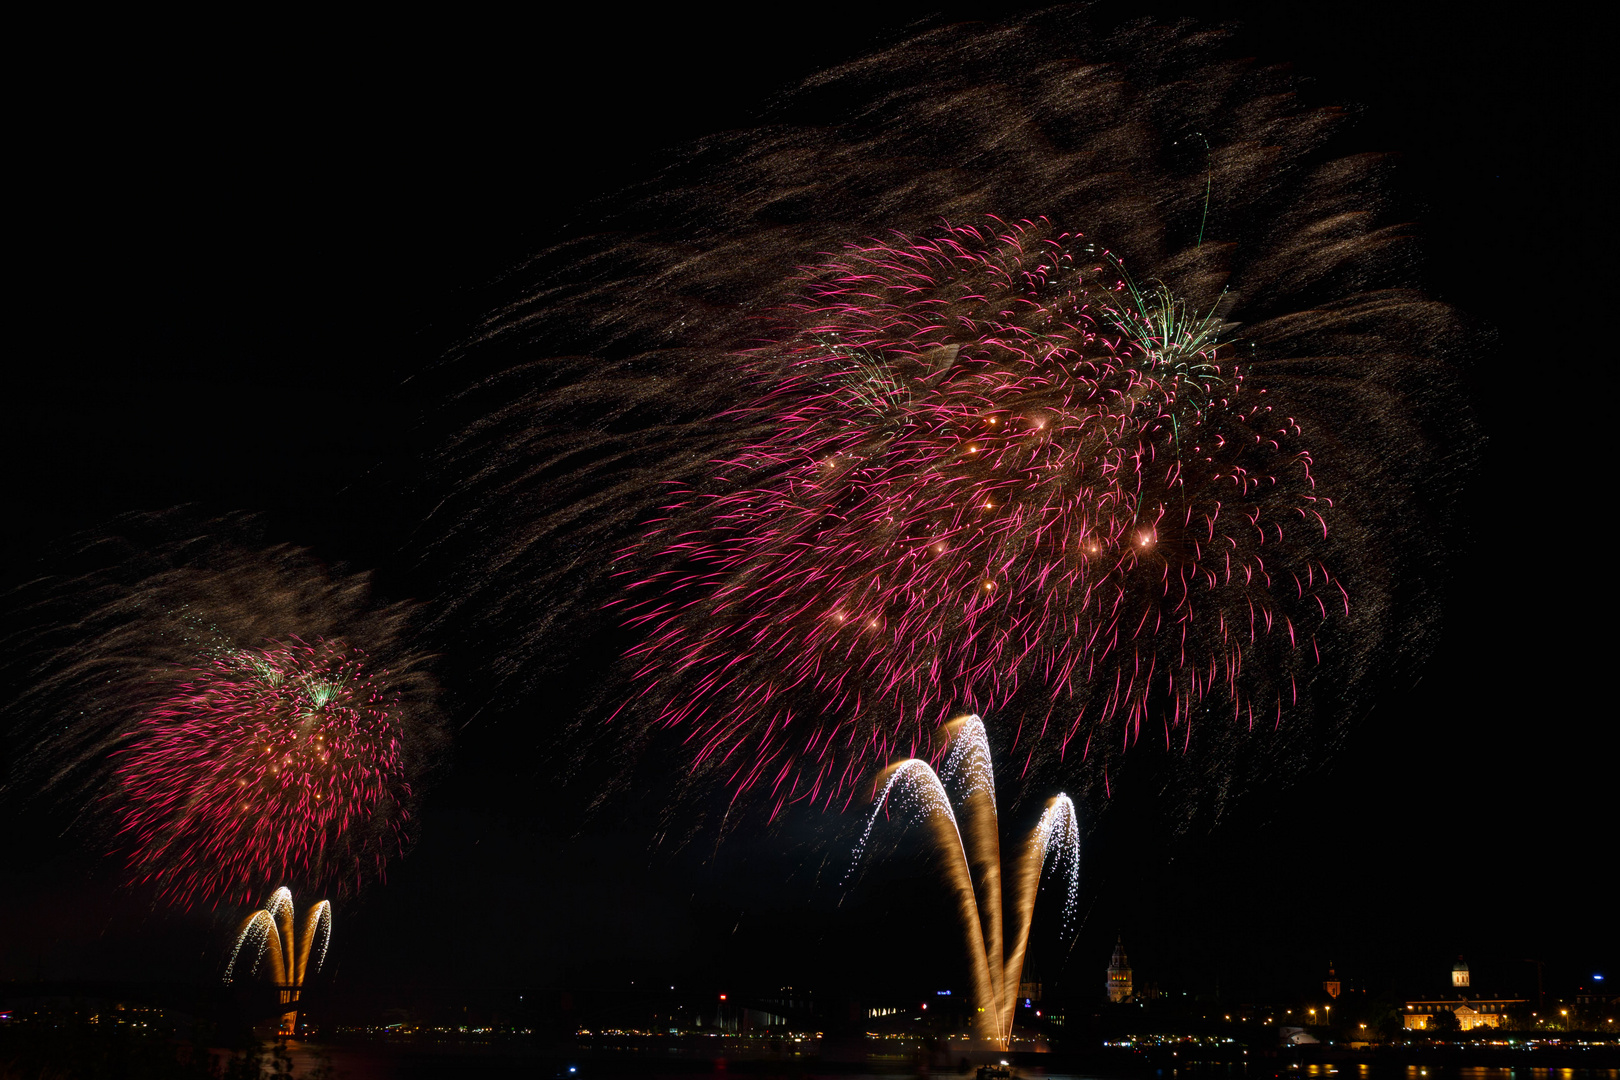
[1193,323]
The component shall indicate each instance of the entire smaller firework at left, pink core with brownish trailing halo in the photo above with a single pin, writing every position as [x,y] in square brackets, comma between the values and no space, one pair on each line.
[228,716]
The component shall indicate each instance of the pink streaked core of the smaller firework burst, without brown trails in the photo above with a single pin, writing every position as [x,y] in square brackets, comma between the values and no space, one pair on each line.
[271,763]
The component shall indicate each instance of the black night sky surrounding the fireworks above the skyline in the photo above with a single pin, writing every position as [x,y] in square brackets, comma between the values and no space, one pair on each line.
[241,240]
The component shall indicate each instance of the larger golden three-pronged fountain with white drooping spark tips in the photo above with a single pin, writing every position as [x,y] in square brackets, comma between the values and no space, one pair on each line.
[973,865]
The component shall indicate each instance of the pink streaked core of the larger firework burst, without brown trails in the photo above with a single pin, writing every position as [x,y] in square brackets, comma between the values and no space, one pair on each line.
[992,475]
